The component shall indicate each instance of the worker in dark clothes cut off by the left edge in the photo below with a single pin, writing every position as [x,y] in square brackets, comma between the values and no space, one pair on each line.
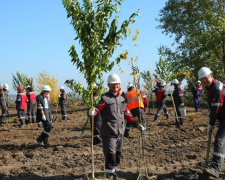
[4,102]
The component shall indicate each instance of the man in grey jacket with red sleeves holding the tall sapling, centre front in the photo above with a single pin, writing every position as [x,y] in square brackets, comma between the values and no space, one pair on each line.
[113,109]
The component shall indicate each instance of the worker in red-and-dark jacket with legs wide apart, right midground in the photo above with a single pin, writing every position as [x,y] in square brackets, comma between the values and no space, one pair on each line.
[161,101]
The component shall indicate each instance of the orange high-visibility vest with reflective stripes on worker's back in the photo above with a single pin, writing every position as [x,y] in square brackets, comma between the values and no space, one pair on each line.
[132,99]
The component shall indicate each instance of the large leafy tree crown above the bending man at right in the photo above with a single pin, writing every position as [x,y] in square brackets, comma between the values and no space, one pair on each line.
[199,31]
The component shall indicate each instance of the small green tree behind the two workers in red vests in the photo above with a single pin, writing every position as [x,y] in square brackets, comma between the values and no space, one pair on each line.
[21,79]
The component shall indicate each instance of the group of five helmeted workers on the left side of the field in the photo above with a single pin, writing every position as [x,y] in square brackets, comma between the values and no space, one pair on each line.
[27,102]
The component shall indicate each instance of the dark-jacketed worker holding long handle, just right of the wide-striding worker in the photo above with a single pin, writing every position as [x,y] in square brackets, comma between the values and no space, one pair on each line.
[178,97]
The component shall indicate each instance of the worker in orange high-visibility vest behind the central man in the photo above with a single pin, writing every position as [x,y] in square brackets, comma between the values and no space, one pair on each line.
[136,103]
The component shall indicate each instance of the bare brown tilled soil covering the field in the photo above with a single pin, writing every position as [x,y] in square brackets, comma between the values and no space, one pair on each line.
[171,153]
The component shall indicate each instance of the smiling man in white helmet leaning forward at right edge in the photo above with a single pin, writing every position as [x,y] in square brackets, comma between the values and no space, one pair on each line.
[215,97]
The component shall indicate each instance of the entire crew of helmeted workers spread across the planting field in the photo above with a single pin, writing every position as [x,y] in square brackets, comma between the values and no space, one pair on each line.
[115,106]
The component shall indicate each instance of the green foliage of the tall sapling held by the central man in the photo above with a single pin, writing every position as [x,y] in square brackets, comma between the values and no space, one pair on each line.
[96,35]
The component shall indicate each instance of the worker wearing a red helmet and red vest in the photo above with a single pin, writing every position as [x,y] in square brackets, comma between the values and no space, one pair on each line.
[21,105]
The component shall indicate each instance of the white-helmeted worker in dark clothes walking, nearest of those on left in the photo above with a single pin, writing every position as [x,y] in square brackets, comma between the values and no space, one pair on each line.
[44,114]
